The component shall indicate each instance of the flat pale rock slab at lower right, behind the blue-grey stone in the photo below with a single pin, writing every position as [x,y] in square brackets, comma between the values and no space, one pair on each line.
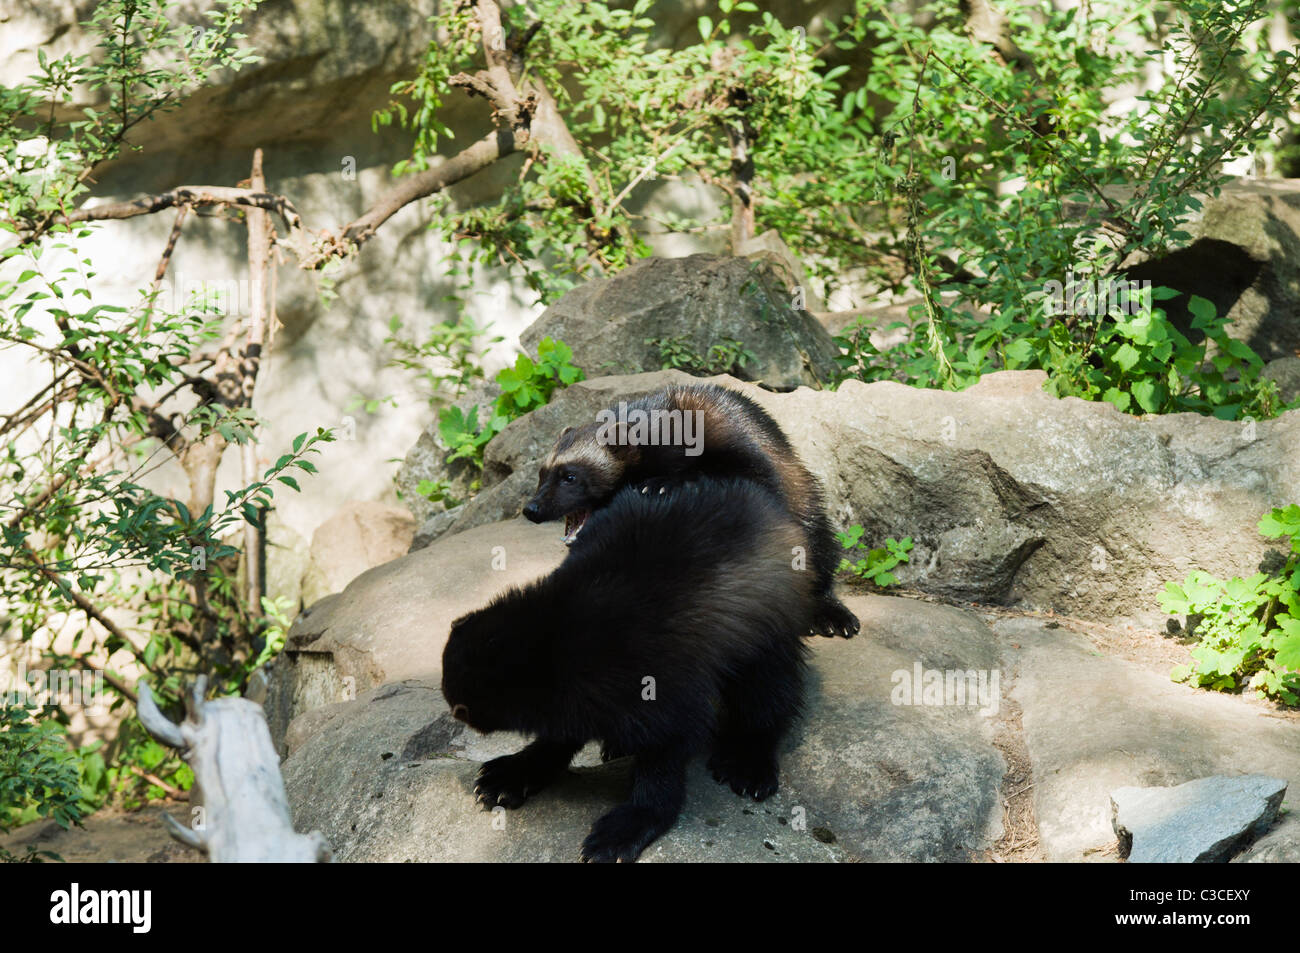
[1094,724]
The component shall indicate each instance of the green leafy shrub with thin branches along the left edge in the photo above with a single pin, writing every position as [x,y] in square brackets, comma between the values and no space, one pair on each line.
[89,549]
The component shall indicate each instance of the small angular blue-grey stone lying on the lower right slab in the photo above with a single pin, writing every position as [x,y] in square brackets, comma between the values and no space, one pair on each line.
[1201,822]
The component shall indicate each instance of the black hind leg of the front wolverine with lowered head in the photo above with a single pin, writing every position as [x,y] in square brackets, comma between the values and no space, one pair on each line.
[760,704]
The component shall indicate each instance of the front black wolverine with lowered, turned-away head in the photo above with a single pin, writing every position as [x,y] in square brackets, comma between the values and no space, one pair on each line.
[675,626]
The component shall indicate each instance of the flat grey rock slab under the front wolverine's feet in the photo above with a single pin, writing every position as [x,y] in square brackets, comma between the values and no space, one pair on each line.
[391,776]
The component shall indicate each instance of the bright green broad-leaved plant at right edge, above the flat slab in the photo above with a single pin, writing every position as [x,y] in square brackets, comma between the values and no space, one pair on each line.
[1249,629]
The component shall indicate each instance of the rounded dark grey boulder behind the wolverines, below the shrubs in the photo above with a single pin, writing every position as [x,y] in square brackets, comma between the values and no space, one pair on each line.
[705,300]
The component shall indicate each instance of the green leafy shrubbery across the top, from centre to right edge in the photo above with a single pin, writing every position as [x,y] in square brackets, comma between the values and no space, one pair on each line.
[929,167]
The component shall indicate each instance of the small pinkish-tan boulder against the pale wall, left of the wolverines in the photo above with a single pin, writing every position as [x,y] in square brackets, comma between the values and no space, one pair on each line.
[359,536]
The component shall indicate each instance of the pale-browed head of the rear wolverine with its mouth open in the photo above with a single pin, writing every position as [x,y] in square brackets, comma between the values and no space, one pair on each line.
[579,476]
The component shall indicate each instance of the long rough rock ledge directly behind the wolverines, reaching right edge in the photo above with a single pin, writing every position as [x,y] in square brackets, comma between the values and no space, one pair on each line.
[1012,496]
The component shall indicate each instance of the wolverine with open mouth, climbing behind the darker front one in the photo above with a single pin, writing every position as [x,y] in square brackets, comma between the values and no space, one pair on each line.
[678,435]
